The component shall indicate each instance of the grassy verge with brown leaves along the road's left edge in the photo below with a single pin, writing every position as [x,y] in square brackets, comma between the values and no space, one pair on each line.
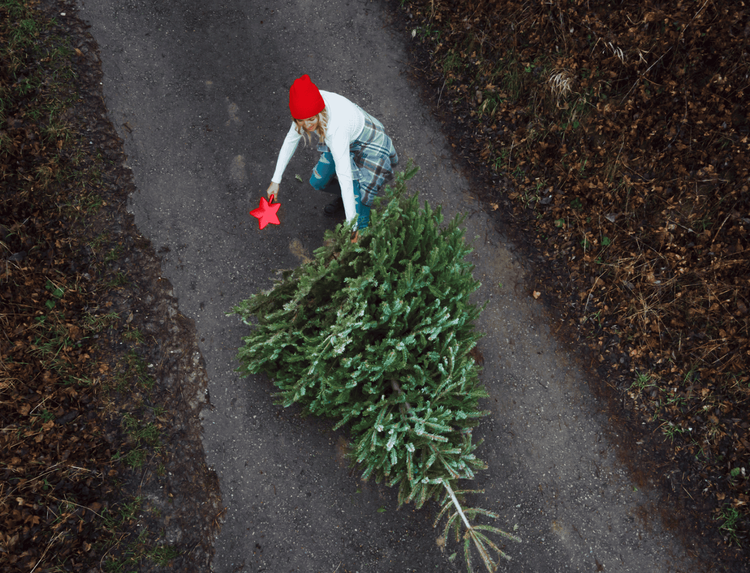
[86,440]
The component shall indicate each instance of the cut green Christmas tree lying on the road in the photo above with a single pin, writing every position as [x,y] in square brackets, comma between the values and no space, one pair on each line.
[378,334]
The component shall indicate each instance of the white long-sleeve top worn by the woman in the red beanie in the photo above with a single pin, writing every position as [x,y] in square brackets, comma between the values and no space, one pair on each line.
[345,123]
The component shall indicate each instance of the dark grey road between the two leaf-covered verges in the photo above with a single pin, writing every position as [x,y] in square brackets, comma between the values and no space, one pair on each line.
[198,91]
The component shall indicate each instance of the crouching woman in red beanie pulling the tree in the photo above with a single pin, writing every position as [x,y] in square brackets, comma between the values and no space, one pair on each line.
[353,146]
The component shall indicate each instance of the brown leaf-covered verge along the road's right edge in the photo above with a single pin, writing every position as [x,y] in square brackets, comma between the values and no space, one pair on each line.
[620,131]
